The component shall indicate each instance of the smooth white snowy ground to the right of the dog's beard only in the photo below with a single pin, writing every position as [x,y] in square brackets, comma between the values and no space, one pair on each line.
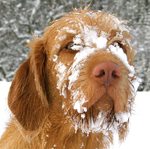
[138,136]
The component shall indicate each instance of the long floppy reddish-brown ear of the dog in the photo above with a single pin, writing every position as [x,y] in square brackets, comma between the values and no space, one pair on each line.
[28,95]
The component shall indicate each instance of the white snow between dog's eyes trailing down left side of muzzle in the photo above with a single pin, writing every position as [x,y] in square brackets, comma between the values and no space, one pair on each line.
[87,43]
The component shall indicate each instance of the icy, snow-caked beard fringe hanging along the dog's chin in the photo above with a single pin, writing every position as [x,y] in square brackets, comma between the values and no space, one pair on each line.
[104,122]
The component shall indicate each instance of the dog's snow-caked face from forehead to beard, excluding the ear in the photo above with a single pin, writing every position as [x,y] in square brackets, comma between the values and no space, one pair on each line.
[85,46]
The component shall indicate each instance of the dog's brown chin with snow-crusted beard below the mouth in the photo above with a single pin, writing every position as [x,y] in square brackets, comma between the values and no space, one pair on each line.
[100,118]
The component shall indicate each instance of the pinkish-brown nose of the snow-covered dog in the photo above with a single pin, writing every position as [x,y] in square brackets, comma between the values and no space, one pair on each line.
[106,73]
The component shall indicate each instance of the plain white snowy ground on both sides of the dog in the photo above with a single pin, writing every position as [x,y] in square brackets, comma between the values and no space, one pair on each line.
[138,137]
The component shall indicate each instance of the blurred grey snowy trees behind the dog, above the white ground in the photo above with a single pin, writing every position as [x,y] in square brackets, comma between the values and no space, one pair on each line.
[20,20]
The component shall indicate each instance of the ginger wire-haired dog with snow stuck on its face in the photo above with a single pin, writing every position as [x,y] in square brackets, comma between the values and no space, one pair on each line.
[76,89]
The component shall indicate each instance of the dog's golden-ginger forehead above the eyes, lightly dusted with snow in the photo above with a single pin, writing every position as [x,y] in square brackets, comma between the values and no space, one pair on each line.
[63,30]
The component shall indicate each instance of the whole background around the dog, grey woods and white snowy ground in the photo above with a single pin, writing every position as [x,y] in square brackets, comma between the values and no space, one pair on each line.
[20,20]
